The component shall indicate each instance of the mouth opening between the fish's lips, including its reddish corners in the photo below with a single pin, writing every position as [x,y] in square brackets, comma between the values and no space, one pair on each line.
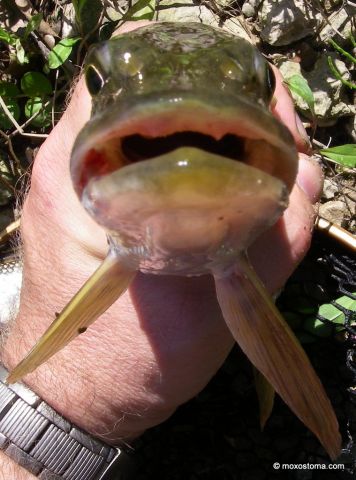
[118,152]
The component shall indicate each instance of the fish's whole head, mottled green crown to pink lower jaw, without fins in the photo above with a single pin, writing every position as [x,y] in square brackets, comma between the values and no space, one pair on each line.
[182,161]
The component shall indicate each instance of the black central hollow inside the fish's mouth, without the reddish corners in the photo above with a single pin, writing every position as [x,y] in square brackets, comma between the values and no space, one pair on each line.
[136,148]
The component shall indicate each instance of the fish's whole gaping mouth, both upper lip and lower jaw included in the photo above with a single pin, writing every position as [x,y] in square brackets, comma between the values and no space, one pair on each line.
[174,180]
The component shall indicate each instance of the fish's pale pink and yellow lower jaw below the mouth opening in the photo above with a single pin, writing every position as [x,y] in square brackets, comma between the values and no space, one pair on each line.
[183,206]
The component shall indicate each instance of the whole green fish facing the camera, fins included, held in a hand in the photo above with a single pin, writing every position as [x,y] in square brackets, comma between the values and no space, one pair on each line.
[184,166]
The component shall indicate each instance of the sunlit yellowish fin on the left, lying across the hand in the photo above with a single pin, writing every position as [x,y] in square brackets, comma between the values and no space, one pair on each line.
[98,293]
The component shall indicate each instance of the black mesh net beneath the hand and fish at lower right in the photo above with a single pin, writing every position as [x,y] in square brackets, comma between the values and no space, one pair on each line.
[217,434]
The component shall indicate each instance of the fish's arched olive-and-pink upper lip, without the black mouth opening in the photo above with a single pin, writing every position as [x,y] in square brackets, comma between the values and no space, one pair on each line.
[155,116]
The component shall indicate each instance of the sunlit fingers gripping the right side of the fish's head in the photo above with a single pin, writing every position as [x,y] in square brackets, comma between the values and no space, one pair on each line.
[278,251]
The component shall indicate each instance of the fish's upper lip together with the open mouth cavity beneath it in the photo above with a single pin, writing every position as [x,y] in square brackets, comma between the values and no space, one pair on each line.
[237,131]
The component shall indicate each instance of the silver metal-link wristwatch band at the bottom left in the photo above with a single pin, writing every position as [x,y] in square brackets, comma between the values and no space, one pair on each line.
[50,447]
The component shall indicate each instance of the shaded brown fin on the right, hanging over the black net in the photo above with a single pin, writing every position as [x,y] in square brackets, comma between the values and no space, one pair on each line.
[271,346]
